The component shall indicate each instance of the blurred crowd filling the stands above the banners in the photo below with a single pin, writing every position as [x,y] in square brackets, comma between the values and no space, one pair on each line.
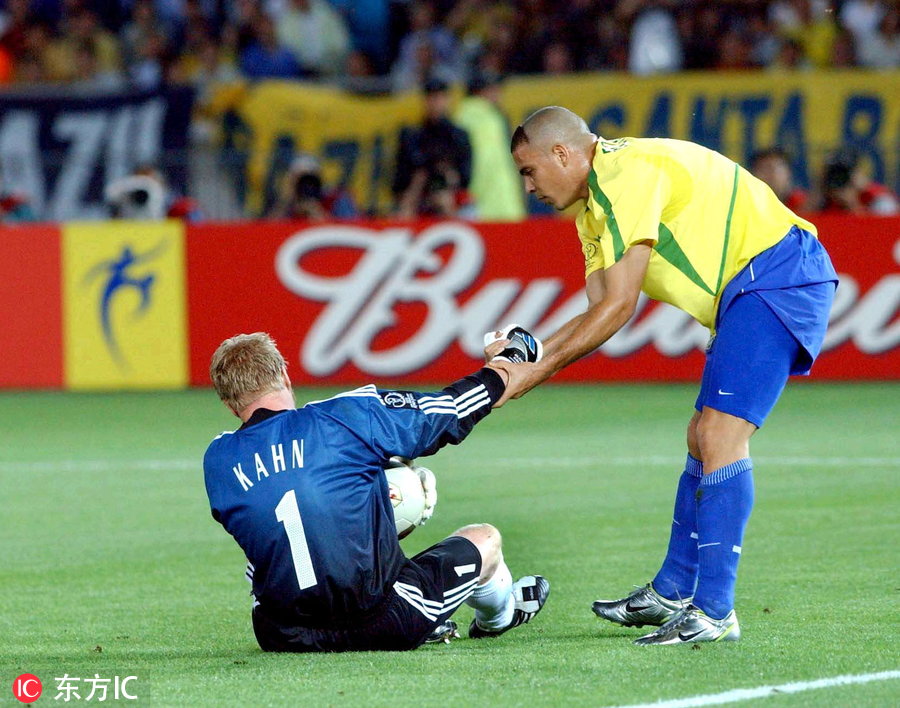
[398,44]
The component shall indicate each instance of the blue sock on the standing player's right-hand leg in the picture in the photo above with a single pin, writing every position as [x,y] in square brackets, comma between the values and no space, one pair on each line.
[724,502]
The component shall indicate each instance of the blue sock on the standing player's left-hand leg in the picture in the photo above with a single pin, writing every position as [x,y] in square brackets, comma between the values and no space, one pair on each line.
[678,575]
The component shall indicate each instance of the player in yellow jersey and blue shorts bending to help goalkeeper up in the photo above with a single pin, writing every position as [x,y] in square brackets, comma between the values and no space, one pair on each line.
[689,227]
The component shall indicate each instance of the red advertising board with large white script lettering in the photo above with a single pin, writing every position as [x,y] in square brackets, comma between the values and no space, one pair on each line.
[352,303]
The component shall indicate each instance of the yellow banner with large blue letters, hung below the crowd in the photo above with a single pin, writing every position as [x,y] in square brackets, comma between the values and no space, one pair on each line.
[809,114]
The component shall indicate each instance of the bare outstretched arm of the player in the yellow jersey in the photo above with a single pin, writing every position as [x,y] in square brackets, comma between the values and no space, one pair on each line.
[612,297]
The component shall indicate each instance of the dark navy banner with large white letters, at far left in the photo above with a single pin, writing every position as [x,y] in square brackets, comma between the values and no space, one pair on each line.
[60,149]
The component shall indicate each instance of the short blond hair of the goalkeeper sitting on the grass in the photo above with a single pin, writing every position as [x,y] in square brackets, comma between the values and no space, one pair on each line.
[246,367]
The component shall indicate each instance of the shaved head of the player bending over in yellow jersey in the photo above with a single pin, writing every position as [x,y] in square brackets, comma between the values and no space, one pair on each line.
[553,150]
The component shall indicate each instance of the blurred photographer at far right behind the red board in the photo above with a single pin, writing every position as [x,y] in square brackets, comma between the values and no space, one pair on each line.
[848,187]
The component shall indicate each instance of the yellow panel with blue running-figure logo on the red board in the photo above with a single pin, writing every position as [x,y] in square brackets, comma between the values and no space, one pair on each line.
[124,305]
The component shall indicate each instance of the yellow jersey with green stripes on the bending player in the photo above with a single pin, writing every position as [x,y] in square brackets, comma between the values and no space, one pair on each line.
[707,216]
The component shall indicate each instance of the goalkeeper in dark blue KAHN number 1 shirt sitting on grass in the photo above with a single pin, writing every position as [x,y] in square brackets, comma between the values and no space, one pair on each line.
[303,492]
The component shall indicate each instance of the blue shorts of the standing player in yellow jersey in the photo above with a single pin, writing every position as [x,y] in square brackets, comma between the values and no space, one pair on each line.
[771,324]
